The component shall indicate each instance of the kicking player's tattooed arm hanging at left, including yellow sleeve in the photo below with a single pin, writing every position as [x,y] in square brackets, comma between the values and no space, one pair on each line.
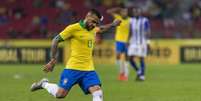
[65,34]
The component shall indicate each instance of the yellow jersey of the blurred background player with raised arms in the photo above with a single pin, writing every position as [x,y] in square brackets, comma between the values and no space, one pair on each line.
[122,31]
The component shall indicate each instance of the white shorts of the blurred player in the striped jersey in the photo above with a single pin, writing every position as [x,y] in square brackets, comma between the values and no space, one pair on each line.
[137,50]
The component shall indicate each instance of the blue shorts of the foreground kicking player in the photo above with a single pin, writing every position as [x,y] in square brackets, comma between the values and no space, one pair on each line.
[84,79]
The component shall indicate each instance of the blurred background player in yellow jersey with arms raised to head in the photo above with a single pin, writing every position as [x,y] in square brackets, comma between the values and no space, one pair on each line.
[121,38]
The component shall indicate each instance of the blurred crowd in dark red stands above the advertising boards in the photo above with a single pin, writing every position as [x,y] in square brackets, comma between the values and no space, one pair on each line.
[45,18]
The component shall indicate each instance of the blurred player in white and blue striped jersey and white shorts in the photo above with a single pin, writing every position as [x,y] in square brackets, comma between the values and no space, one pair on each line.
[140,31]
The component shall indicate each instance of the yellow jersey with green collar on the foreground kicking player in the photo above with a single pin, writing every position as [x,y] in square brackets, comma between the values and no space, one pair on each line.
[81,46]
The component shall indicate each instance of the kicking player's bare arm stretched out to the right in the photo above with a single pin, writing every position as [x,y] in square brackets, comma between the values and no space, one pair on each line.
[106,27]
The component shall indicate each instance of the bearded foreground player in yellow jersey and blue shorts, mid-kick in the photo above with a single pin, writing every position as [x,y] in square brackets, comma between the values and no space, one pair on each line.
[79,68]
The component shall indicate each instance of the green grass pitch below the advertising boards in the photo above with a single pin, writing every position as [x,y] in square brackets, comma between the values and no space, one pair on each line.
[164,83]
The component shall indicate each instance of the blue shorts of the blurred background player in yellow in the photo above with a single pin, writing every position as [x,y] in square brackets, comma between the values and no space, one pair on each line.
[121,47]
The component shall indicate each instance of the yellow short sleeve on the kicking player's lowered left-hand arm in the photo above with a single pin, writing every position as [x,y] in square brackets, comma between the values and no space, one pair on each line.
[67,32]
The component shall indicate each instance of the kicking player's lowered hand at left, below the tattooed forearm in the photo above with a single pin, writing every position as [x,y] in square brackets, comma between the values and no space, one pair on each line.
[49,66]
